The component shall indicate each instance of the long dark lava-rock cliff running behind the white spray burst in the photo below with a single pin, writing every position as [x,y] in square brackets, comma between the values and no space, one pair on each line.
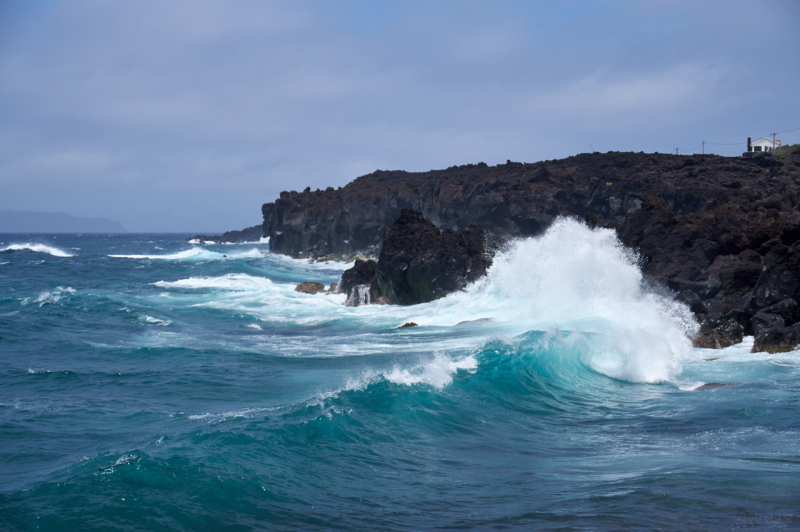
[704,225]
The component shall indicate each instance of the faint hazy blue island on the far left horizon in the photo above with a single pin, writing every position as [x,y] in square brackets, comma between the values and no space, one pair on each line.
[55,222]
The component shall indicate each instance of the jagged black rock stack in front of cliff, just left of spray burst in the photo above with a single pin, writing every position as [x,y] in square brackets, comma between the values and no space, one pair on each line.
[418,263]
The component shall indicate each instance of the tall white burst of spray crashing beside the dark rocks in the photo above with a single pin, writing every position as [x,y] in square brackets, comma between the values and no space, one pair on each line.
[579,279]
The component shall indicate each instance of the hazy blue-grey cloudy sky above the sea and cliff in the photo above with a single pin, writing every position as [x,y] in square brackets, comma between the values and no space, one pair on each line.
[187,115]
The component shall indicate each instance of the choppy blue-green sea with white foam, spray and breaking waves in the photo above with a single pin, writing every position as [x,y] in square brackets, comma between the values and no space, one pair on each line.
[151,384]
